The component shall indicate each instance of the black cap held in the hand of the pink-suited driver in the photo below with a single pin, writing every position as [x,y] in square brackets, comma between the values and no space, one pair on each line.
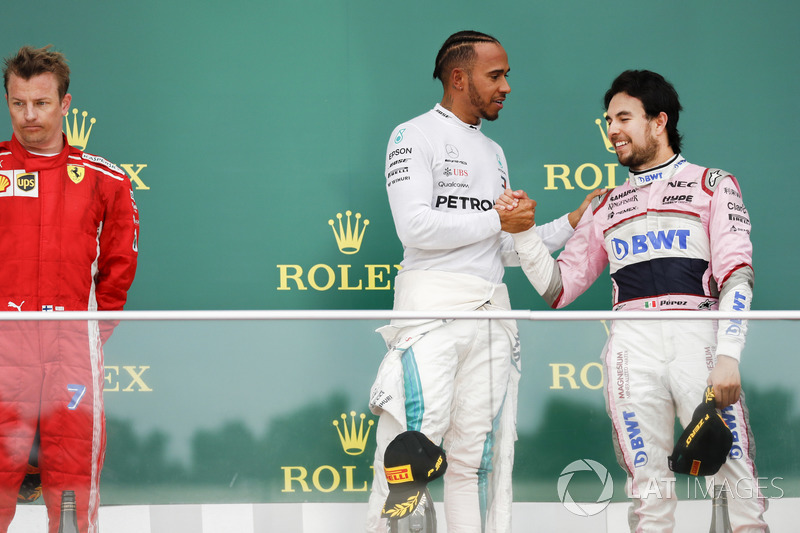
[705,443]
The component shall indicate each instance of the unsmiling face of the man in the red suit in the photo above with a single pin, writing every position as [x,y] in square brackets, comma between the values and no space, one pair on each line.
[36,112]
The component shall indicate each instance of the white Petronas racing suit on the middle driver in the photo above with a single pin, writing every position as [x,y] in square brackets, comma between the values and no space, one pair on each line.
[452,380]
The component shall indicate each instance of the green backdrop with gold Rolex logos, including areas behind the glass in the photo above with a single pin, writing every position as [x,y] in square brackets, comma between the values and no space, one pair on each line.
[254,134]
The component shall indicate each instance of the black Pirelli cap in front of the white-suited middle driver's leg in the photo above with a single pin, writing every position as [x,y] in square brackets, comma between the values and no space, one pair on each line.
[410,462]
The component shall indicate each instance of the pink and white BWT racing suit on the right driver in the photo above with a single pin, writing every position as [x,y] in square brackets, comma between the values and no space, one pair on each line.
[675,237]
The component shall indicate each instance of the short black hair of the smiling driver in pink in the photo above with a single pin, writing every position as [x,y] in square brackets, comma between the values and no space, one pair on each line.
[656,94]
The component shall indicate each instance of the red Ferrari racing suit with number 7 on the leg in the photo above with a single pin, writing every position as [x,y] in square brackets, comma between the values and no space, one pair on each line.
[68,239]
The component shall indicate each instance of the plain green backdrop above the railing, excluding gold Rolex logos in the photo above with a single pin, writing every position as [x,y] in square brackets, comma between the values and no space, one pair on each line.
[259,121]
